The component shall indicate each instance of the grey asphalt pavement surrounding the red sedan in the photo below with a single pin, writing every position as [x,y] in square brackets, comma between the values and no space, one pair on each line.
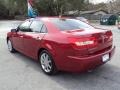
[18,72]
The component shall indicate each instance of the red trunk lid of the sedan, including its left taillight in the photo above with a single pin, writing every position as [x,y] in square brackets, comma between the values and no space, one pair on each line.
[92,40]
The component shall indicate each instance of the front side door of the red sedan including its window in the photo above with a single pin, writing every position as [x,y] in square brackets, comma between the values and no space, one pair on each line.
[18,37]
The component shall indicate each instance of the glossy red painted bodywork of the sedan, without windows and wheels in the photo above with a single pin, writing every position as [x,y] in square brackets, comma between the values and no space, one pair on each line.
[72,50]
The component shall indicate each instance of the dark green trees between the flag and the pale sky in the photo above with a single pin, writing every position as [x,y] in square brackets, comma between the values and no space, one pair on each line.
[56,7]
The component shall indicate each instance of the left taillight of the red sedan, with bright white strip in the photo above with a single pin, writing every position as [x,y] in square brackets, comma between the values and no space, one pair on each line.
[82,43]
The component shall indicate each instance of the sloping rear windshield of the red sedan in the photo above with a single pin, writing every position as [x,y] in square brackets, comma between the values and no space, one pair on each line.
[70,24]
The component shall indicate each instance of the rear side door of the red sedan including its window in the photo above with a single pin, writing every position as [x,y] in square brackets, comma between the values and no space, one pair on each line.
[32,40]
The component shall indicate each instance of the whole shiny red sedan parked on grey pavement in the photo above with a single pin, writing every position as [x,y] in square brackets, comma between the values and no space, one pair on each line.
[62,44]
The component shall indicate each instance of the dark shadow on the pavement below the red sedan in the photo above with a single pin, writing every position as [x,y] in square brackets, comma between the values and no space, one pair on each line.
[105,77]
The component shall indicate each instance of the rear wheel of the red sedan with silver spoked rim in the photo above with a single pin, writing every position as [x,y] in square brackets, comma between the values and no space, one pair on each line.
[47,64]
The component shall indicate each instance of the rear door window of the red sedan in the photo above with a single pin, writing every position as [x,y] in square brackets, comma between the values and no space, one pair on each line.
[36,26]
